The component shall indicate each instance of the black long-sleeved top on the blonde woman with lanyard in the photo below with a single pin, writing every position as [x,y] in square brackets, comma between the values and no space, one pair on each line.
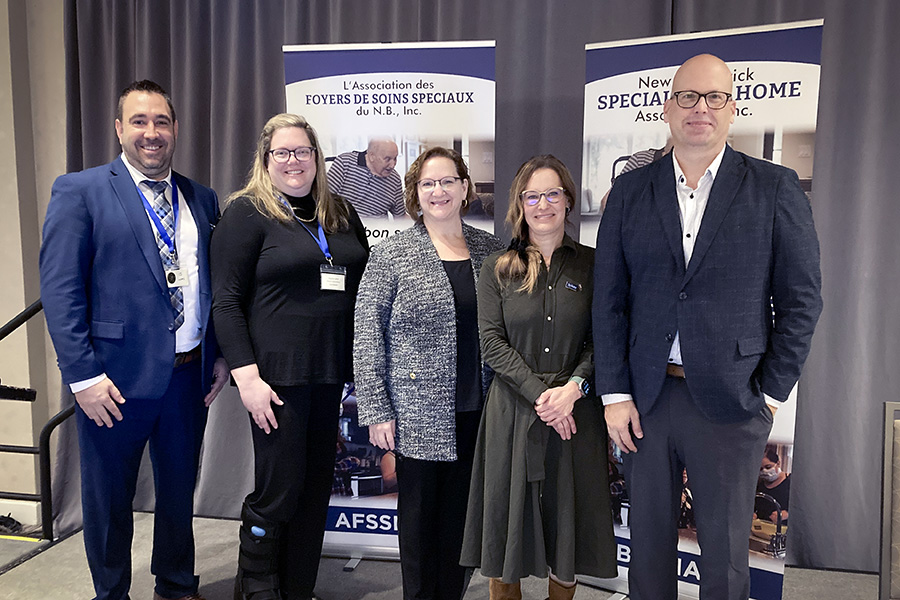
[268,305]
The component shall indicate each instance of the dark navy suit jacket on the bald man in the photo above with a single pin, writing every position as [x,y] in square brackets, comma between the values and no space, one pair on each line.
[756,251]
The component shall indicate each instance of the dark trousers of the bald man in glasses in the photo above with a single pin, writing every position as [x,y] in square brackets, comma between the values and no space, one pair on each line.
[722,462]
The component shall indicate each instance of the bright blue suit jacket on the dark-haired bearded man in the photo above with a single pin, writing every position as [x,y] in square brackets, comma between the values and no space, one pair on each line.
[103,285]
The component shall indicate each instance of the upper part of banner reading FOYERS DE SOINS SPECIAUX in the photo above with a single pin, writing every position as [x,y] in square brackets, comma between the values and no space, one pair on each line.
[402,97]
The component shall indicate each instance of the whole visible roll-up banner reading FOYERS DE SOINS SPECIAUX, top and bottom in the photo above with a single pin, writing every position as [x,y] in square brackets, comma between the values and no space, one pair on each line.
[357,96]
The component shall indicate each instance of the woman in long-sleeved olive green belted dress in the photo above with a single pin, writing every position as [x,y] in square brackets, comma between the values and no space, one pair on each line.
[539,499]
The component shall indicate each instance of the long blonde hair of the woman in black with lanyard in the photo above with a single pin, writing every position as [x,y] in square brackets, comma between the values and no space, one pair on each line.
[331,211]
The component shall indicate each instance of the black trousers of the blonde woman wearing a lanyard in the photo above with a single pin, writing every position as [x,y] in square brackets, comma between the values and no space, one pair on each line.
[294,468]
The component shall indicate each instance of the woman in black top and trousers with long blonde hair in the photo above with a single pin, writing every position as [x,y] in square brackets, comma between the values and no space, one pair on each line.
[286,260]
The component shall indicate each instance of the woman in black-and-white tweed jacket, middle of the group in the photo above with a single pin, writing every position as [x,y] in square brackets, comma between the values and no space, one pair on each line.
[420,381]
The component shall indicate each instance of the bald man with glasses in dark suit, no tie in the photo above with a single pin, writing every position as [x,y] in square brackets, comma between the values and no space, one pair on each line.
[706,295]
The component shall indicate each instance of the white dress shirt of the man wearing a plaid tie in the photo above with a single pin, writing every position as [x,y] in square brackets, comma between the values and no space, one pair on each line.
[189,335]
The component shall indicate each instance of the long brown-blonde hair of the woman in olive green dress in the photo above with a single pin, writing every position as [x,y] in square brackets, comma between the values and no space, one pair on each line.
[522,260]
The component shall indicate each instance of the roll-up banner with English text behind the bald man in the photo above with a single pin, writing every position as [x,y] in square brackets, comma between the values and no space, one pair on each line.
[776,86]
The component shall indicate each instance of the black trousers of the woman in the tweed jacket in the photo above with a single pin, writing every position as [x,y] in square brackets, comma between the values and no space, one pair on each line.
[431,510]
